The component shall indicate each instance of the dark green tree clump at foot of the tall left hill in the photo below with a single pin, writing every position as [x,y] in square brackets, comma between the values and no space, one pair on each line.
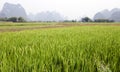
[13,19]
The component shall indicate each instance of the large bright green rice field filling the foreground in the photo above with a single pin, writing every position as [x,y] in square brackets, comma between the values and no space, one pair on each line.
[73,49]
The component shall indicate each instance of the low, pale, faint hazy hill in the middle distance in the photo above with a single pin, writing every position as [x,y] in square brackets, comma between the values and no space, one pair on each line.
[46,16]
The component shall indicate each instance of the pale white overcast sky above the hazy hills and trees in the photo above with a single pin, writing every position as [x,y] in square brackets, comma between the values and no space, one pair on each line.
[71,8]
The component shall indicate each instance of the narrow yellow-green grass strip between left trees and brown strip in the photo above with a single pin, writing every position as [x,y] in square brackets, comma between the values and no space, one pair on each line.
[17,25]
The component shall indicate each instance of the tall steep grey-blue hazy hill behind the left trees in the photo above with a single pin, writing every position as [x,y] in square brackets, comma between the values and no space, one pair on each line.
[13,10]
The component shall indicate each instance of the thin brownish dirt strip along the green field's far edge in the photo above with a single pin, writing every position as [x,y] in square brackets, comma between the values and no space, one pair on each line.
[52,26]
